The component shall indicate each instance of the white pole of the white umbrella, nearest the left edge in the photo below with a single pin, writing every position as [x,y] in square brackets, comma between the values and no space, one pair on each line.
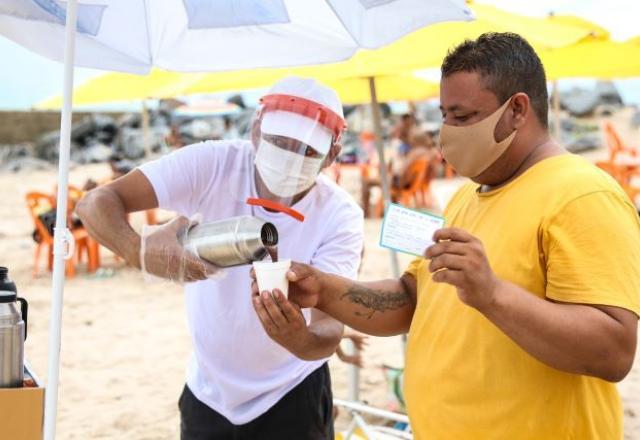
[61,233]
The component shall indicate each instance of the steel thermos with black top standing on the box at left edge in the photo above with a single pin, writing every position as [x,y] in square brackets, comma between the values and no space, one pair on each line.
[13,332]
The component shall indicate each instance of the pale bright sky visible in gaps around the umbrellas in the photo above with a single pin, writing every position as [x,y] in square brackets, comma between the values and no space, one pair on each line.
[27,78]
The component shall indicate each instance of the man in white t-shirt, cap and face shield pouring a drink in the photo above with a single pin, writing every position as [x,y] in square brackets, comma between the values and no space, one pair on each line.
[259,368]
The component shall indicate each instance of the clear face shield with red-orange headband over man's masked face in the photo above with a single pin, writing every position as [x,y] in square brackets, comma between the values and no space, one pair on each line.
[292,137]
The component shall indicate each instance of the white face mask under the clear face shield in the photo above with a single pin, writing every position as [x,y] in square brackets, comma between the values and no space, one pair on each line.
[286,173]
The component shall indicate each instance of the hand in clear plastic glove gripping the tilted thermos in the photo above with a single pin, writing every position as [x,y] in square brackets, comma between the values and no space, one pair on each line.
[162,254]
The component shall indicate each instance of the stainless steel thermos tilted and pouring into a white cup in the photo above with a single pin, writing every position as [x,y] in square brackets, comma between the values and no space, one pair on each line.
[232,242]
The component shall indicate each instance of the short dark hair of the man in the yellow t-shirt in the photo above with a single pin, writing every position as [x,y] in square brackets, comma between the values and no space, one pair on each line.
[508,65]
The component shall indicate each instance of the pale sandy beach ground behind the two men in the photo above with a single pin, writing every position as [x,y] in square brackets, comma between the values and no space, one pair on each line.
[125,342]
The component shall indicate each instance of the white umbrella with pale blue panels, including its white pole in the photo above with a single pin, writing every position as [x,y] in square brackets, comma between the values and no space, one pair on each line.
[193,35]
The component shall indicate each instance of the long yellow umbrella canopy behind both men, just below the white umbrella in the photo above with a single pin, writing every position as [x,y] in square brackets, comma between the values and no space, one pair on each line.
[422,49]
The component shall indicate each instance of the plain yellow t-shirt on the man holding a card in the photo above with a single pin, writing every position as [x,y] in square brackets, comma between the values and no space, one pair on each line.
[563,230]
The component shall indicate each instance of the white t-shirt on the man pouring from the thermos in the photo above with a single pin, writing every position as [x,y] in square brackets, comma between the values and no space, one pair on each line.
[236,369]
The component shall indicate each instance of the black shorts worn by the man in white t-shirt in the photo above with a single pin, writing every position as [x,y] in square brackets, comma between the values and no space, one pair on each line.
[303,413]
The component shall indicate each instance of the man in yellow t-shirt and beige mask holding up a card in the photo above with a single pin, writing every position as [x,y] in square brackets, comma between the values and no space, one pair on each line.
[524,312]
